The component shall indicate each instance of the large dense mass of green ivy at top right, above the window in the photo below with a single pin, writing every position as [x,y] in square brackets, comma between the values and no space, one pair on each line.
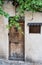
[30,5]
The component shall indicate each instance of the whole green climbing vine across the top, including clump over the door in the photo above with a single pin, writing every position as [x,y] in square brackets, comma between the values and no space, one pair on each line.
[21,6]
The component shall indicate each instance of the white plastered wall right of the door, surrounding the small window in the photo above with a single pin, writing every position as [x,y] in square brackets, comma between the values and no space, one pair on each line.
[33,42]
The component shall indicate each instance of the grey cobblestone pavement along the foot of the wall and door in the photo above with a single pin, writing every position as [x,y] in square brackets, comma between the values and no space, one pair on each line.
[7,62]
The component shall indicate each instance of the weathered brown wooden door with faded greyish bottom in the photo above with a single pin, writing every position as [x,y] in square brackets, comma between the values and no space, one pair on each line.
[16,43]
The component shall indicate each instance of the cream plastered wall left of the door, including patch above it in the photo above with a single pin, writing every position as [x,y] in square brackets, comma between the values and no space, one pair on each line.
[4,40]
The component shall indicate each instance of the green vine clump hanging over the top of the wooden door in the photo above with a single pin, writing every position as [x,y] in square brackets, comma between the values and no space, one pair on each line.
[13,21]
